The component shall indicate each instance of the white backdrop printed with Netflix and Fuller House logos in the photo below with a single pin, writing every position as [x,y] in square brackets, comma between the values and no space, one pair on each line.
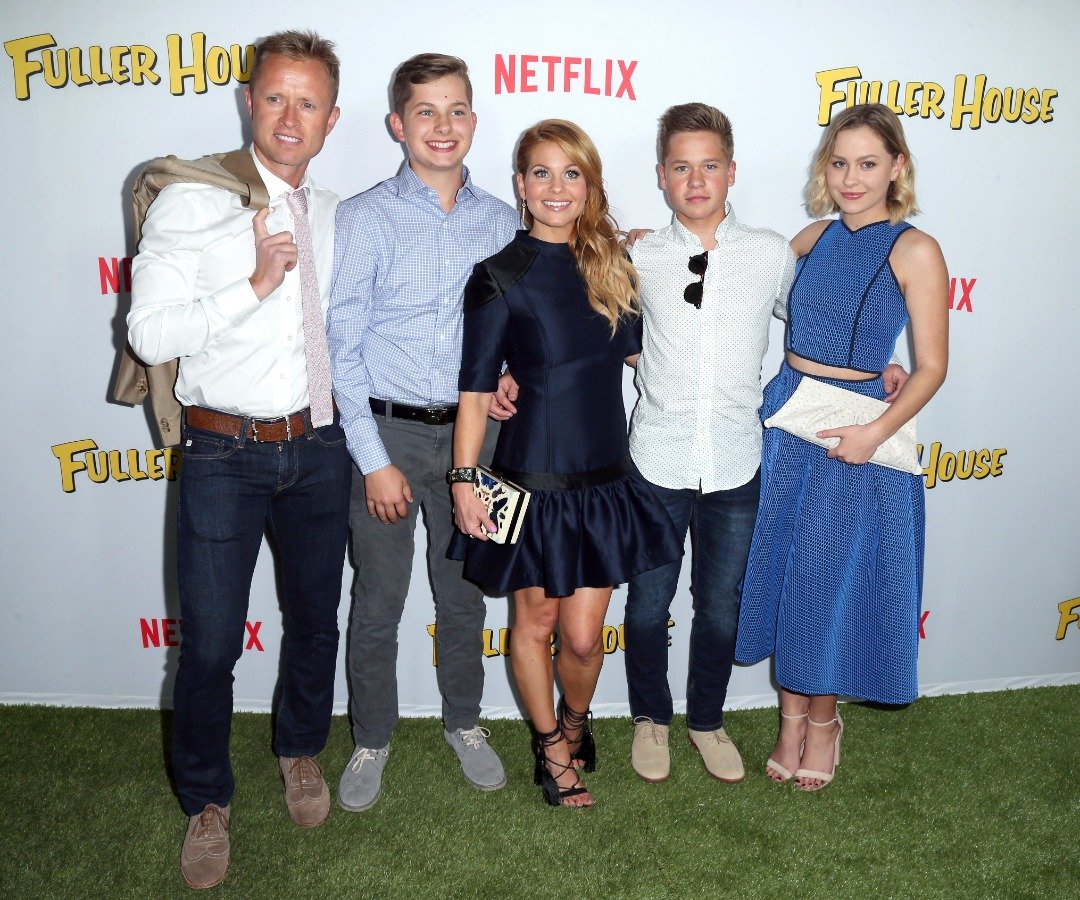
[988,92]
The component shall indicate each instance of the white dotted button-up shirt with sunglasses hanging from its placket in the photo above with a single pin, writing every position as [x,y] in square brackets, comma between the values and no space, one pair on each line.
[696,424]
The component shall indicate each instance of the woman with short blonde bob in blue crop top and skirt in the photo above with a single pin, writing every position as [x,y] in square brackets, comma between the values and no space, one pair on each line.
[833,587]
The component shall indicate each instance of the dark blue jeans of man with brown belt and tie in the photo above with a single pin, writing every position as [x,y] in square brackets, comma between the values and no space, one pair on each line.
[233,491]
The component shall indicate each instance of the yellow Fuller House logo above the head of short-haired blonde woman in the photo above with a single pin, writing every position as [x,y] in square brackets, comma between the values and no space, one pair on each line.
[975,101]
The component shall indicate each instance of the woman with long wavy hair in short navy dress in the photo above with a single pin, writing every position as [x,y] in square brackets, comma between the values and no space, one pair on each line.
[559,304]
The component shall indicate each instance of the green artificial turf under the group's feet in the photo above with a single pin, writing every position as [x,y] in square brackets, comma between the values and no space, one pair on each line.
[974,796]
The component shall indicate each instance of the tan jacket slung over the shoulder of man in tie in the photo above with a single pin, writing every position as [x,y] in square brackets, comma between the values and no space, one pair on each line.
[234,172]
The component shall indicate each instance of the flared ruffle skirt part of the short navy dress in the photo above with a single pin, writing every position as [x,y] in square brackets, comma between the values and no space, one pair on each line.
[586,538]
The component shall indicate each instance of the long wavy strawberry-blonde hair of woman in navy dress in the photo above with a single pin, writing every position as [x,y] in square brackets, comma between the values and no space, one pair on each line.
[610,276]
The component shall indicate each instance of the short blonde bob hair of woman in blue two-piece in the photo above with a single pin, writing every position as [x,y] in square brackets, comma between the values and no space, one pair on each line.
[886,125]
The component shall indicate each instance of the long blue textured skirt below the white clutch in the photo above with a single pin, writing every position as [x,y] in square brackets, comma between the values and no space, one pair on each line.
[834,581]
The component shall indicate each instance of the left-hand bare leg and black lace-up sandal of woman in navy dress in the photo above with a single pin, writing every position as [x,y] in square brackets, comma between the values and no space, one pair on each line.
[536,617]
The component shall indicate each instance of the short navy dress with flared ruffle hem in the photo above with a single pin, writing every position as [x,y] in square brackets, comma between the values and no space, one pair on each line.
[592,520]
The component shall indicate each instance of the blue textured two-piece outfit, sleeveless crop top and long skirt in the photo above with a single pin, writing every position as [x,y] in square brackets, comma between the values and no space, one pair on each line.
[834,582]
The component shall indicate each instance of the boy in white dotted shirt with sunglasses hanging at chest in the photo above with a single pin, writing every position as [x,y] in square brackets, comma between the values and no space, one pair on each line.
[709,289]
